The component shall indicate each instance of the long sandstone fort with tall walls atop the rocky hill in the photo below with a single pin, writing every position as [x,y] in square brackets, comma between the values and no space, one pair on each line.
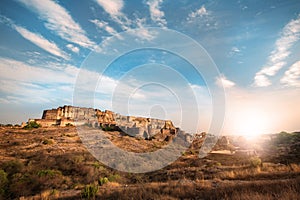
[108,120]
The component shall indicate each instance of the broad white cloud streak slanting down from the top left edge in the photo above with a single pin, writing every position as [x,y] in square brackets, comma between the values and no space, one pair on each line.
[58,19]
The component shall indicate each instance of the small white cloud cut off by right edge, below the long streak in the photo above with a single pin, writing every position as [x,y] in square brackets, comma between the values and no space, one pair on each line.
[292,76]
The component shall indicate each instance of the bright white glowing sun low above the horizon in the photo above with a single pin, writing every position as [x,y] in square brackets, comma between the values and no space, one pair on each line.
[251,123]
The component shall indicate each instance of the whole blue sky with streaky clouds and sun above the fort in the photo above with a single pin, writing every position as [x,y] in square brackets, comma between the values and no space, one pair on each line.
[50,50]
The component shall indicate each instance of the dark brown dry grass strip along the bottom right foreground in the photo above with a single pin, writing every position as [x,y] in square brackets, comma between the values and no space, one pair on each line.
[209,189]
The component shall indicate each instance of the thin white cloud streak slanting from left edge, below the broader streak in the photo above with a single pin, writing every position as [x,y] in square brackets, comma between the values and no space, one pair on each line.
[36,39]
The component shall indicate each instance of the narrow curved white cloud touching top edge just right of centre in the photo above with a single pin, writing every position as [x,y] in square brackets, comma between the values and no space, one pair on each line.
[157,15]
